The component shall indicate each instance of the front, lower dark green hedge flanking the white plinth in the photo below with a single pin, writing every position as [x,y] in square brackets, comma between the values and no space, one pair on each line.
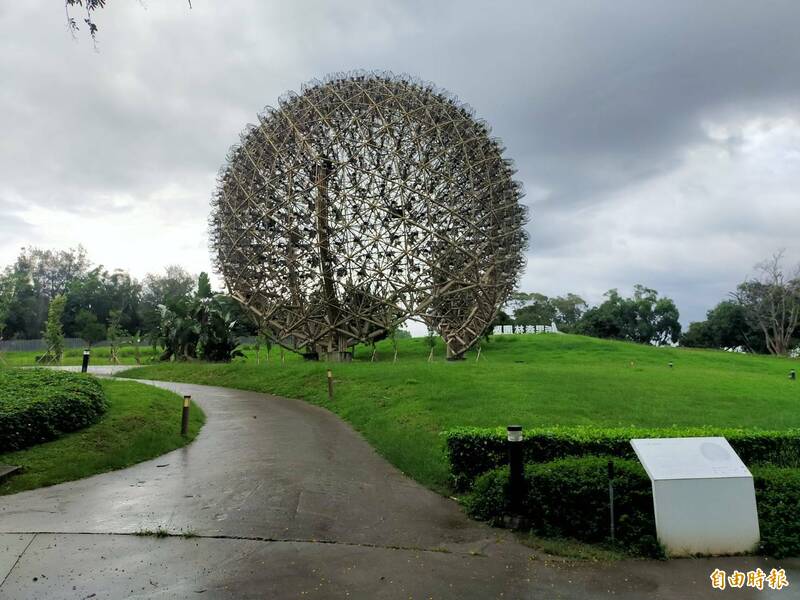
[569,498]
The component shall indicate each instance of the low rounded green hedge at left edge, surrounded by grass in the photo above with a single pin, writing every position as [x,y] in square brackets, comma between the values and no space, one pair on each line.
[37,405]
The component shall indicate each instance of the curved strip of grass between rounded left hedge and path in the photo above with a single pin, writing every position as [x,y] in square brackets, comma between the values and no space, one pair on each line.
[141,422]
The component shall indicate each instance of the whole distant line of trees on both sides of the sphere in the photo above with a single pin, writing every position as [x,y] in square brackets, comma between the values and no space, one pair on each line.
[762,315]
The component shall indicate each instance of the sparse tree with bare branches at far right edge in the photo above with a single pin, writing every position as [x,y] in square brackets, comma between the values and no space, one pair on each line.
[771,301]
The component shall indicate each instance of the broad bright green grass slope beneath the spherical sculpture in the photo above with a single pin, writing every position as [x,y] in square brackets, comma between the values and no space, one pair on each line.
[400,408]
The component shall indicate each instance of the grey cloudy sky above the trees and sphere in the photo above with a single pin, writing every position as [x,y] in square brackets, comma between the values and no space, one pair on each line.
[658,142]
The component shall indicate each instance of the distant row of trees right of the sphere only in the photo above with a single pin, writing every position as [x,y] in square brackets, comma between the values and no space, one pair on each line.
[762,315]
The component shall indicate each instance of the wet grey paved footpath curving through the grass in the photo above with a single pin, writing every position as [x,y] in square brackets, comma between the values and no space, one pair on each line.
[282,499]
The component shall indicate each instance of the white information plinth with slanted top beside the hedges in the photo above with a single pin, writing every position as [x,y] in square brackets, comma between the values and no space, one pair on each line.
[703,495]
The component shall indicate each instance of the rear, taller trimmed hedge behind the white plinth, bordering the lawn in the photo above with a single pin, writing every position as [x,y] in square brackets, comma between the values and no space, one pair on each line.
[472,451]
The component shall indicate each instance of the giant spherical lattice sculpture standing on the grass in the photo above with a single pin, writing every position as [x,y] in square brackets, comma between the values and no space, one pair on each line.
[366,200]
